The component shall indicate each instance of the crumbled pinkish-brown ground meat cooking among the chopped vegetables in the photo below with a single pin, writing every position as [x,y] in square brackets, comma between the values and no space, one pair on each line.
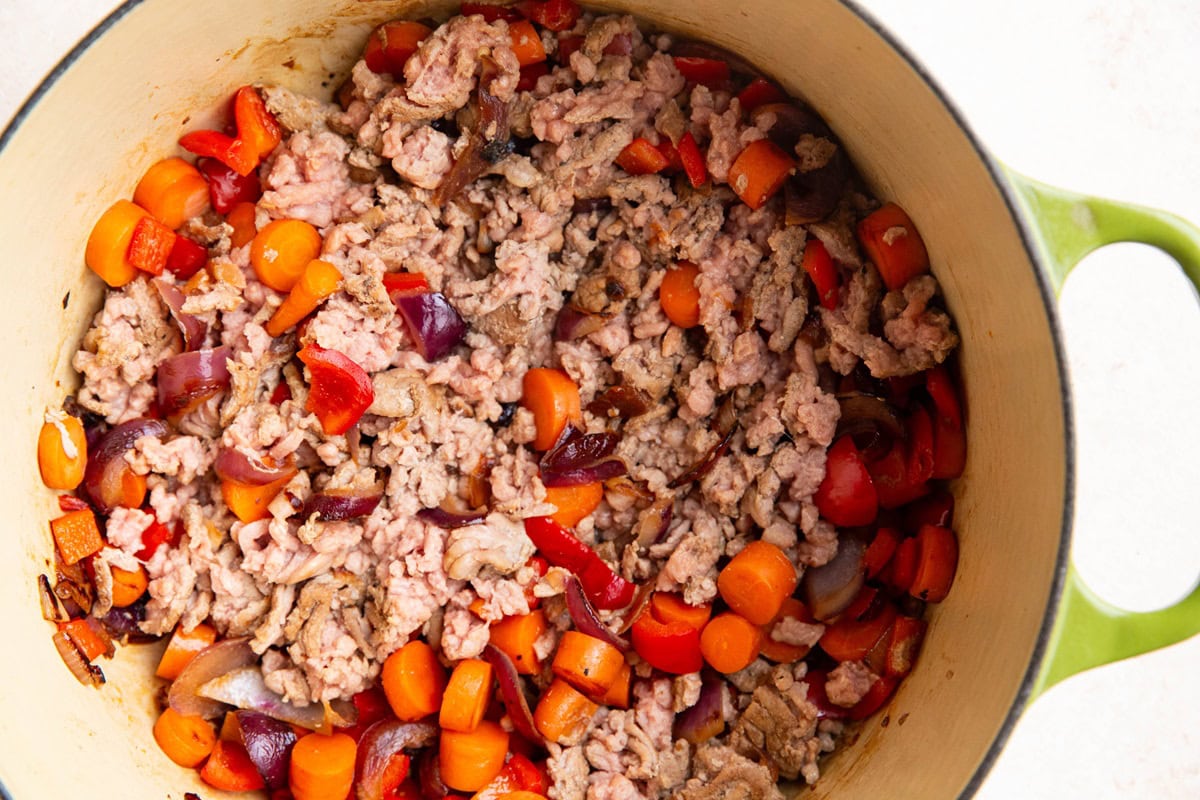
[555,222]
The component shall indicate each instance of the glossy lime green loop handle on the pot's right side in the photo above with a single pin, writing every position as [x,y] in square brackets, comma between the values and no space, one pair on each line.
[1089,631]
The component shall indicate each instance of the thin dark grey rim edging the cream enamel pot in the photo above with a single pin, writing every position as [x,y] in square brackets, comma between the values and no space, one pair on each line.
[1030,240]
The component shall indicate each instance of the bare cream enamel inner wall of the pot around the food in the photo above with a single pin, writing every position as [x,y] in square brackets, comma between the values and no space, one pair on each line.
[165,68]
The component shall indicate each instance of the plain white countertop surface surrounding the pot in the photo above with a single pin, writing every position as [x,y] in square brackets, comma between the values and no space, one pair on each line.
[1093,95]
